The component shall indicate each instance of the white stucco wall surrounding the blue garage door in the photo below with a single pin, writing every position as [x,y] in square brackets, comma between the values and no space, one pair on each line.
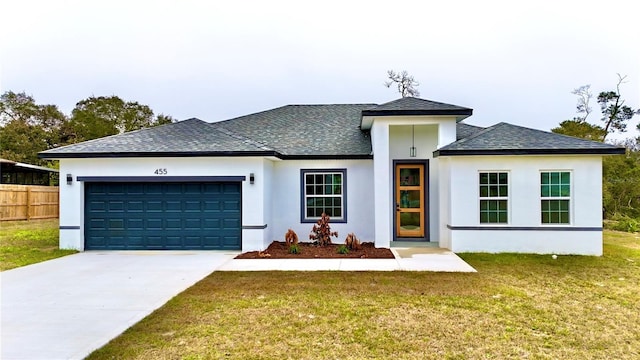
[253,196]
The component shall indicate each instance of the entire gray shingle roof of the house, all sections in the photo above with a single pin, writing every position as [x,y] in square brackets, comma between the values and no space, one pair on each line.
[316,131]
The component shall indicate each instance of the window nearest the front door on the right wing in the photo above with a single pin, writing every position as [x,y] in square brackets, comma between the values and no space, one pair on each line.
[494,195]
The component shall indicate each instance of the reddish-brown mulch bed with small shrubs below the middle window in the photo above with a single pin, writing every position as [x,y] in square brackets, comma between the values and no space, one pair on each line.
[279,250]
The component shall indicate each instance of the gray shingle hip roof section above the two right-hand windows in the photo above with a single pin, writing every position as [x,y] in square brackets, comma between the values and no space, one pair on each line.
[507,139]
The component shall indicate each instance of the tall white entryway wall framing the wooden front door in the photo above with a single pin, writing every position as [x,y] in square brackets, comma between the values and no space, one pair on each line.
[391,138]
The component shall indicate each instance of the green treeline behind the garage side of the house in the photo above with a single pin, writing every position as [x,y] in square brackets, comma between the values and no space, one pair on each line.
[27,128]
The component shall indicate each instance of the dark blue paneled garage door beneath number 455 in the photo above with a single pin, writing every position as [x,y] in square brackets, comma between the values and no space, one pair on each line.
[162,216]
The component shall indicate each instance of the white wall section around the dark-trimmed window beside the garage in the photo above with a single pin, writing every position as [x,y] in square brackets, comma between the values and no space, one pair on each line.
[287,192]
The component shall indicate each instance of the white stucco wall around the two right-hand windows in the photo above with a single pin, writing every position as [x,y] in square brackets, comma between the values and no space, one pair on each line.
[582,236]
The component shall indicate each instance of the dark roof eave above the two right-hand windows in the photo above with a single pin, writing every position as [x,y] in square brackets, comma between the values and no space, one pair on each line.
[612,151]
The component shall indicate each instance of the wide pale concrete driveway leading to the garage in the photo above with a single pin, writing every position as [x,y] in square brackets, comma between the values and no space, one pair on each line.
[68,307]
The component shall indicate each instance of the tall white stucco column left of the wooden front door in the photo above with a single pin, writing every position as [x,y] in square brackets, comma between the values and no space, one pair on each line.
[382,184]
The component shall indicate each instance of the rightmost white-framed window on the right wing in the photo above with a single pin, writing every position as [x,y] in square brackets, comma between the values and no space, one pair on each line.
[555,194]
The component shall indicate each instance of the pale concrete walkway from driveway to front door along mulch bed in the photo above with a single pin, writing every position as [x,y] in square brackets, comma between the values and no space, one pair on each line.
[407,259]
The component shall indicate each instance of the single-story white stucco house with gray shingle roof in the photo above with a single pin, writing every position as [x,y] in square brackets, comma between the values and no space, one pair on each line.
[406,170]
